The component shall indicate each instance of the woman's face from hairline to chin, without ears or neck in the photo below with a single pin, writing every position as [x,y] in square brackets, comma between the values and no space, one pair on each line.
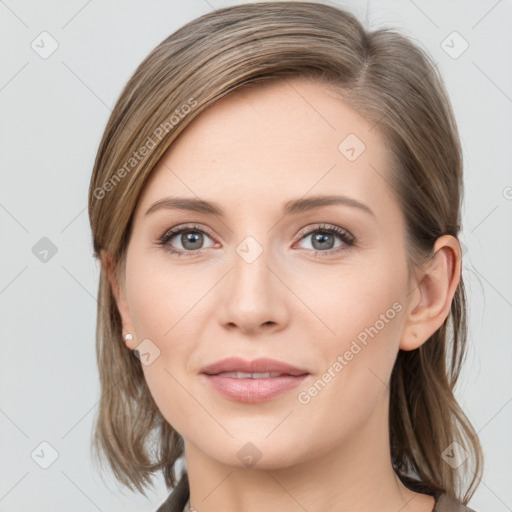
[269,278]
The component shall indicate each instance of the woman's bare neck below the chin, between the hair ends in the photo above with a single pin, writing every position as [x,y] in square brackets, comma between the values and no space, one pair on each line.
[354,476]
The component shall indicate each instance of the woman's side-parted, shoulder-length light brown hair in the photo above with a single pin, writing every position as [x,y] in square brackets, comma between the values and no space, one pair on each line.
[385,78]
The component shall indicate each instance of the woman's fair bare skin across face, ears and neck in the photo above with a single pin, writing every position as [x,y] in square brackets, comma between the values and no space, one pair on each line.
[251,152]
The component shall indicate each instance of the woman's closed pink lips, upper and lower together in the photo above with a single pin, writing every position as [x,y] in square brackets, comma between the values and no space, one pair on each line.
[251,390]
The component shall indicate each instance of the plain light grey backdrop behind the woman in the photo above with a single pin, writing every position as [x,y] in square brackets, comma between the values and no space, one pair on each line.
[53,112]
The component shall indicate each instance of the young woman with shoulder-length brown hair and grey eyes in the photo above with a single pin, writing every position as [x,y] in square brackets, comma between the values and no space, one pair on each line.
[275,204]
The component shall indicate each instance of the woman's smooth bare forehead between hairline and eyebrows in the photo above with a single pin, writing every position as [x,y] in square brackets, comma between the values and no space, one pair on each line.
[268,143]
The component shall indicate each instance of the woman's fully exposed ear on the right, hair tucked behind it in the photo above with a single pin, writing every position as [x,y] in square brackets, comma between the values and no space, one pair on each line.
[432,297]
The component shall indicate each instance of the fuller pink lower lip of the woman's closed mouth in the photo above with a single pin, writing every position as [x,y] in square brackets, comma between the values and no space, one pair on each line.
[253,391]
